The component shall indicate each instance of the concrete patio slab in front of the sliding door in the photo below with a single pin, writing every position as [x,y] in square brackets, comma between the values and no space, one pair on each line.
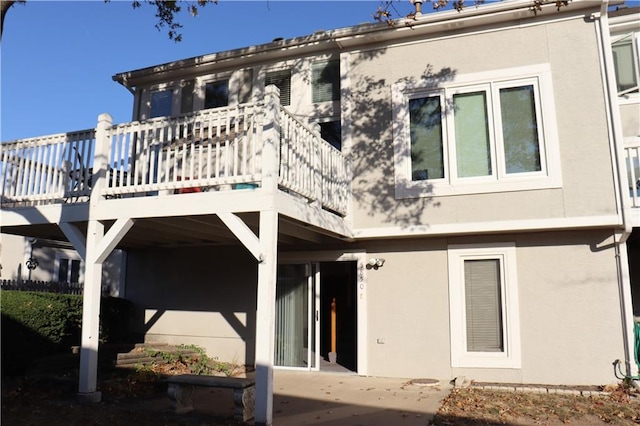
[331,398]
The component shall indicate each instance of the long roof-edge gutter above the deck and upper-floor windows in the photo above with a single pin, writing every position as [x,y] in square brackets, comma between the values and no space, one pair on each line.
[355,37]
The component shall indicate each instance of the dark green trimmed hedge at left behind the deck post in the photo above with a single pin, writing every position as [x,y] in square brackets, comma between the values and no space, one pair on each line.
[40,324]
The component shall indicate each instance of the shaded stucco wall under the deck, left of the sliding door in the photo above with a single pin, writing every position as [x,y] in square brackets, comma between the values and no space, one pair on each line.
[203,296]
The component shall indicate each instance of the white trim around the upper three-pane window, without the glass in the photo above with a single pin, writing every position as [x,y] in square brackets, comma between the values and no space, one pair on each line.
[549,177]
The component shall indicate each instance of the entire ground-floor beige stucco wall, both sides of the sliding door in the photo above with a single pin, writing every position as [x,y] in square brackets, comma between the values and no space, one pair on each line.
[569,311]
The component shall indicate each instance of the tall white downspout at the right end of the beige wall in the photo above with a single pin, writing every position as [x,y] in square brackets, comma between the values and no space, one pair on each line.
[617,145]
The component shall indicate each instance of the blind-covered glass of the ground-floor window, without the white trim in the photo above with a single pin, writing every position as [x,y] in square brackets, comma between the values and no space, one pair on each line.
[483,305]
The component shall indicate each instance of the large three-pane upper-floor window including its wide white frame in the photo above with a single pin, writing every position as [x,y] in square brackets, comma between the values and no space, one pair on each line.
[487,132]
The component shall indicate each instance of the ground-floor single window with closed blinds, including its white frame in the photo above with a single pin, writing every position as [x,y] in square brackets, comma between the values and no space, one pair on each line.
[484,309]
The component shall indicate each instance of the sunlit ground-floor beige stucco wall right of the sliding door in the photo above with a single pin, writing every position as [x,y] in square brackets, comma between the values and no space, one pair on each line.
[570,325]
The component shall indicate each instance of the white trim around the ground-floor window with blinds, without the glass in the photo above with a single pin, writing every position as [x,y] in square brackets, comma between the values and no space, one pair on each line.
[460,357]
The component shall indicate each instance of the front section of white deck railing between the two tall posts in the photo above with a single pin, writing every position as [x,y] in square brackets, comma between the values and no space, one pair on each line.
[209,149]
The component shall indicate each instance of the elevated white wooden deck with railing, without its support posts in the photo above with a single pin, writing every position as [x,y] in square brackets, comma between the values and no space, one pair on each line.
[176,176]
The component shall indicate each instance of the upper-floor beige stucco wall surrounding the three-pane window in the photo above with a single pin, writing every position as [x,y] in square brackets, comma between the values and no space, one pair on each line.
[587,185]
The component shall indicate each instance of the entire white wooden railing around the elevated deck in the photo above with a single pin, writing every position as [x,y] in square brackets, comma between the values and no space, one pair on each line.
[216,149]
